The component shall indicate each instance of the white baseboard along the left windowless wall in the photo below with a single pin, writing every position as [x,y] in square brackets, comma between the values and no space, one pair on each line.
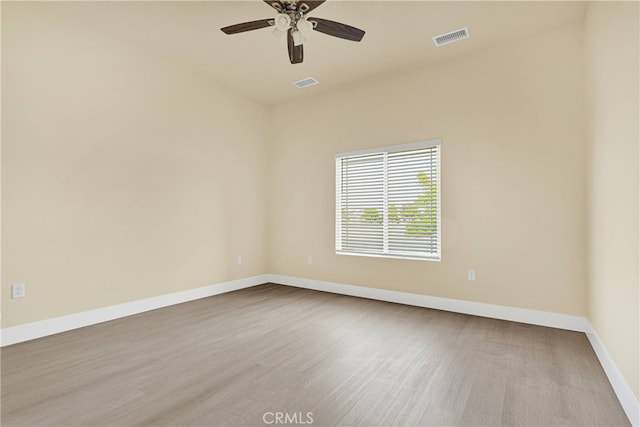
[29,331]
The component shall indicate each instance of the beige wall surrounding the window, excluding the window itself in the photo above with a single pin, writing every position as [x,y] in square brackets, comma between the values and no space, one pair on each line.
[513,192]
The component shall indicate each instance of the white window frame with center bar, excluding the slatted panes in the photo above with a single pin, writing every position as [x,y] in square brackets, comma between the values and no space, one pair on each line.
[386,150]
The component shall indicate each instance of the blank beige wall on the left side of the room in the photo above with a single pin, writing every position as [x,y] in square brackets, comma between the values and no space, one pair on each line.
[124,176]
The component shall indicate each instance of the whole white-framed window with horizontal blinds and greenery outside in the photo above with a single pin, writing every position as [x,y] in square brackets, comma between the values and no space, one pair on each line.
[388,201]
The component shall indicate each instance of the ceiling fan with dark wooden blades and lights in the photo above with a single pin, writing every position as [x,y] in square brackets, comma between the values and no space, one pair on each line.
[291,20]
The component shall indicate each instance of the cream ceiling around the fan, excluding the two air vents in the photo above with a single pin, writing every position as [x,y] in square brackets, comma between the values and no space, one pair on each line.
[398,37]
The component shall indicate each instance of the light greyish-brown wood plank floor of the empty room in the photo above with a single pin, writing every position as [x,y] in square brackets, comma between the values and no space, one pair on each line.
[229,359]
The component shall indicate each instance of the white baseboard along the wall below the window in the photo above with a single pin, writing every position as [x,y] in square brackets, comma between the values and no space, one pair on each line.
[522,315]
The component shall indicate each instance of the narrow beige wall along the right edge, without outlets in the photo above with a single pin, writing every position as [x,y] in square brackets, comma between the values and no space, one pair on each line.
[612,70]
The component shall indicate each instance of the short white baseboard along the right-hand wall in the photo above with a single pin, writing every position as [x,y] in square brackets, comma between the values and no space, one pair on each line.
[621,388]
